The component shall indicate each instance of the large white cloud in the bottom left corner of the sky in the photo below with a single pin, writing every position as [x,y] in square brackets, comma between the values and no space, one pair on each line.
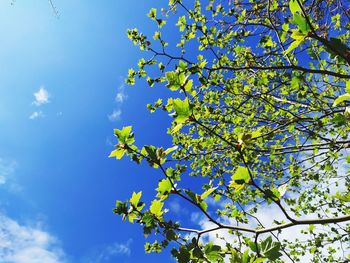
[26,244]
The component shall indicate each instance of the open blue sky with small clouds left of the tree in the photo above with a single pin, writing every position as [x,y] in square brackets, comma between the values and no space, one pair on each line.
[61,80]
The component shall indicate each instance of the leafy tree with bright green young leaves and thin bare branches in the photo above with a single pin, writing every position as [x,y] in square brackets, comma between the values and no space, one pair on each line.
[260,119]
